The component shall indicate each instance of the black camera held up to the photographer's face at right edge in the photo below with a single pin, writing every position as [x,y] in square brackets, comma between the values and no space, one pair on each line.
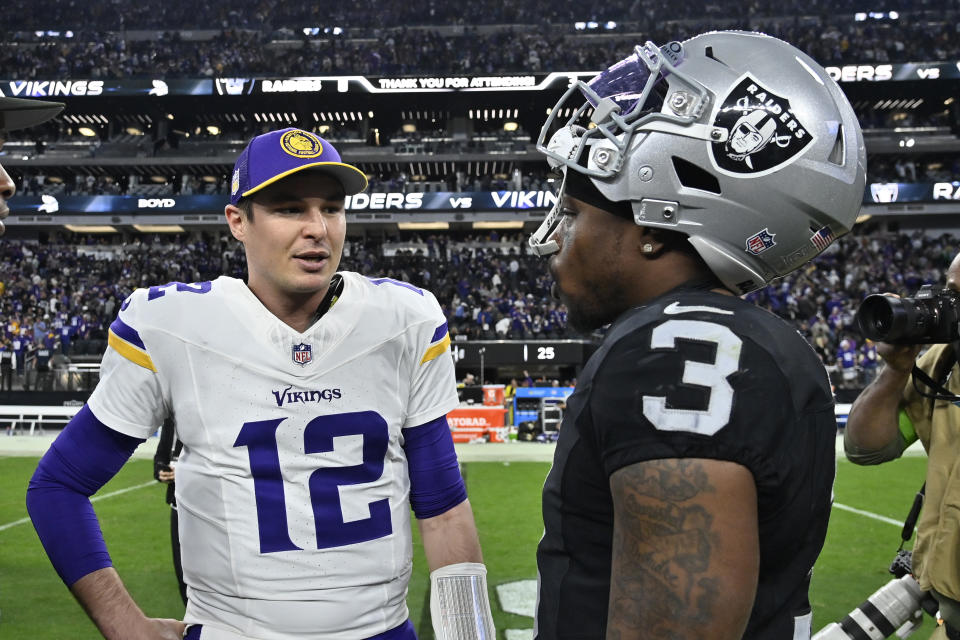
[932,317]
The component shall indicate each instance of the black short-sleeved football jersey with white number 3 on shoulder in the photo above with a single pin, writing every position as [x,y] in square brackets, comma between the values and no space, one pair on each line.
[693,374]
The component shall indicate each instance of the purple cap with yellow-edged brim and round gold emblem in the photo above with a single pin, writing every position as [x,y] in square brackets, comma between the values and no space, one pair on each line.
[275,155]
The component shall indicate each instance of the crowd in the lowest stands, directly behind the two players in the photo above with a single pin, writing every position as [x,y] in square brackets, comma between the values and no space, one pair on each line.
[61,296]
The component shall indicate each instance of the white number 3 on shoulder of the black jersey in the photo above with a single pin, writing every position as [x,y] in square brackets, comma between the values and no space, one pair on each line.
[705,374]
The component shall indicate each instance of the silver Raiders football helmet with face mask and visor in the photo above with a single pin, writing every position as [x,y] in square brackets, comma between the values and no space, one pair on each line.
[736,139]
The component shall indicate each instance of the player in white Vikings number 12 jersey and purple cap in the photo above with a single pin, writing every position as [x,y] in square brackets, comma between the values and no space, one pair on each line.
[311,405]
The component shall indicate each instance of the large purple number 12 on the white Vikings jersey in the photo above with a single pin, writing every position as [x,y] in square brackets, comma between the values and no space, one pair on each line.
[260,438]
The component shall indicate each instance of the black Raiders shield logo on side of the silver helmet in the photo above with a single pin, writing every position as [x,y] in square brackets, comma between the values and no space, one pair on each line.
[764,133]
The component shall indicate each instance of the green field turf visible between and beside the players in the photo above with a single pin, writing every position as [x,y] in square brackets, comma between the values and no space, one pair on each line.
[34,603]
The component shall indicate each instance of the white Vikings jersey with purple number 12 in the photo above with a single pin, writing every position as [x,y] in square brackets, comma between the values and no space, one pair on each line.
[292,488]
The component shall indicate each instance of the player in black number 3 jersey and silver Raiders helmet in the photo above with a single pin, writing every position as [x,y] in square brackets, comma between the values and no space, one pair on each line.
[691,484]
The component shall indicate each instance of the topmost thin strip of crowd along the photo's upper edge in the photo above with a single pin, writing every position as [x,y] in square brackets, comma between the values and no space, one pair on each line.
[28,16]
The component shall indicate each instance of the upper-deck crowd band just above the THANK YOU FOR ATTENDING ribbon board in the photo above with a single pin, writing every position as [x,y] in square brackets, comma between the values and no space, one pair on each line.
[525,46]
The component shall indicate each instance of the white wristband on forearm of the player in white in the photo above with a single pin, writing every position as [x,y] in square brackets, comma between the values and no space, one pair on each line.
[459,606]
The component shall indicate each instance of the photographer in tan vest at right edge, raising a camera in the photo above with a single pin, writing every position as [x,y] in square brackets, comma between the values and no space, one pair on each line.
[888,416]
